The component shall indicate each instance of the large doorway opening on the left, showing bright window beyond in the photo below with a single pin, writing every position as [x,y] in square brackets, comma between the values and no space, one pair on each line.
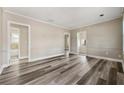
[18,40]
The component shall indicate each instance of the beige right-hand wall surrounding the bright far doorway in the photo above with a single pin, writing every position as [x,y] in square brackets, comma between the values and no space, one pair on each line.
[103,39]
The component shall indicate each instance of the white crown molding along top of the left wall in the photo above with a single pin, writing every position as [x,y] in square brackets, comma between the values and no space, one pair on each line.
[34,19]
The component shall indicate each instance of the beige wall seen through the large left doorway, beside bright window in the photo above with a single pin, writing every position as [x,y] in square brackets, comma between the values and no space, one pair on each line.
[23,40]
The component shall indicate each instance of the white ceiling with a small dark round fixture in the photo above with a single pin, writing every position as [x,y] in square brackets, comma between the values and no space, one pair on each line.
[70,17]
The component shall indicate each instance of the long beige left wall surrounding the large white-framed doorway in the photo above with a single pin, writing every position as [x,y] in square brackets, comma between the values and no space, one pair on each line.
[46,40]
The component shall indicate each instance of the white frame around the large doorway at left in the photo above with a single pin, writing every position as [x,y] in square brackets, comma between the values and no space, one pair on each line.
[29,38]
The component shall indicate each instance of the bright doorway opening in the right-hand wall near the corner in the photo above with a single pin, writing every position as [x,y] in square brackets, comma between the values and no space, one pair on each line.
[82,42]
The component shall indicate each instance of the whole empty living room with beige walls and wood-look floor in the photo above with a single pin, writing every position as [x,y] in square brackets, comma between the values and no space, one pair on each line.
[61,46]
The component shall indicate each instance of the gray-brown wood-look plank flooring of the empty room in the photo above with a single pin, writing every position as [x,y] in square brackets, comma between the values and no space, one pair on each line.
[75,70]
